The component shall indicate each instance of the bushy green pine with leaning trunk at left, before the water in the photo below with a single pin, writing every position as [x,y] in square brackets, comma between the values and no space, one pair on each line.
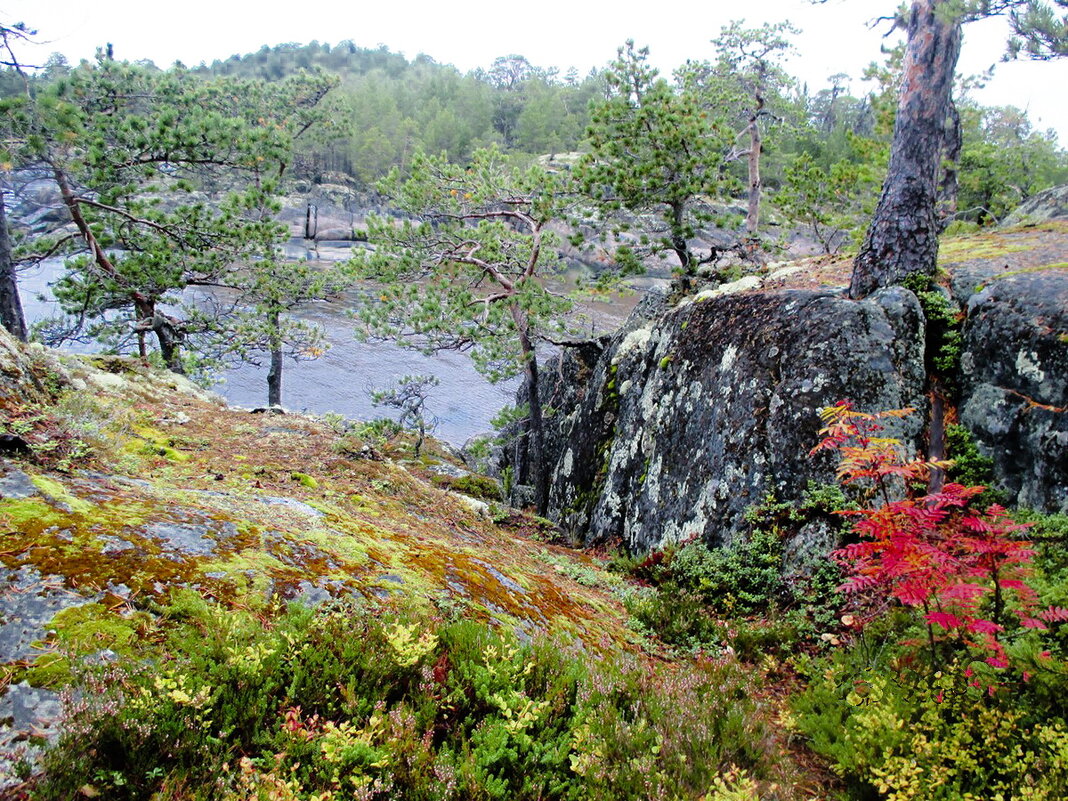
[169,181]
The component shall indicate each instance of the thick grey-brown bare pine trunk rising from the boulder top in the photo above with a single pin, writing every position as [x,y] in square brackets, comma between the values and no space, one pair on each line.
[903,237]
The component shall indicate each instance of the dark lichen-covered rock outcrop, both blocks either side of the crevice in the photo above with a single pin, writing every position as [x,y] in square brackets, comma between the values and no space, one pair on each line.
[670,430]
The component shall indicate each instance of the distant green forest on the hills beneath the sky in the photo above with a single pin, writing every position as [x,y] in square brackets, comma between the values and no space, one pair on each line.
[825,149]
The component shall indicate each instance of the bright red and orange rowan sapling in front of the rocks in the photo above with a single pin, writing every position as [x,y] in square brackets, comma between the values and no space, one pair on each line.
[931,552]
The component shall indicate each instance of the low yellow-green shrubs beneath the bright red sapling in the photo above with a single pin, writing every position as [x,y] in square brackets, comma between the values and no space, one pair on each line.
[899,735]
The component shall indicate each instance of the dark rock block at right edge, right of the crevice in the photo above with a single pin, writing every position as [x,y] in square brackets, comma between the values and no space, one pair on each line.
[1015,397]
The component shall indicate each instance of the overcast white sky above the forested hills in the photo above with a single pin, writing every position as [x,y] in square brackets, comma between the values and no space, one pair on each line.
[564,34]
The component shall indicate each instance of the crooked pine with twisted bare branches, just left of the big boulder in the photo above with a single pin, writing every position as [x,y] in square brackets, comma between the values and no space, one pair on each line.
[467,273]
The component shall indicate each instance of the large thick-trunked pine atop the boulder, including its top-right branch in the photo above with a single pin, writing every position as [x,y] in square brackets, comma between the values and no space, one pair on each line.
[903,237]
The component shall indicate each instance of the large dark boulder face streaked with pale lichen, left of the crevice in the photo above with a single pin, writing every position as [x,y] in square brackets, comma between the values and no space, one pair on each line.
[674,428]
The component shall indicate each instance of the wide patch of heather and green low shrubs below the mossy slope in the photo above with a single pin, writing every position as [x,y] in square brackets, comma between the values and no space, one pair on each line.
[348,702]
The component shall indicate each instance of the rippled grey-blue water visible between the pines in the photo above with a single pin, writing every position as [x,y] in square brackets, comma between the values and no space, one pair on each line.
[342,380]
